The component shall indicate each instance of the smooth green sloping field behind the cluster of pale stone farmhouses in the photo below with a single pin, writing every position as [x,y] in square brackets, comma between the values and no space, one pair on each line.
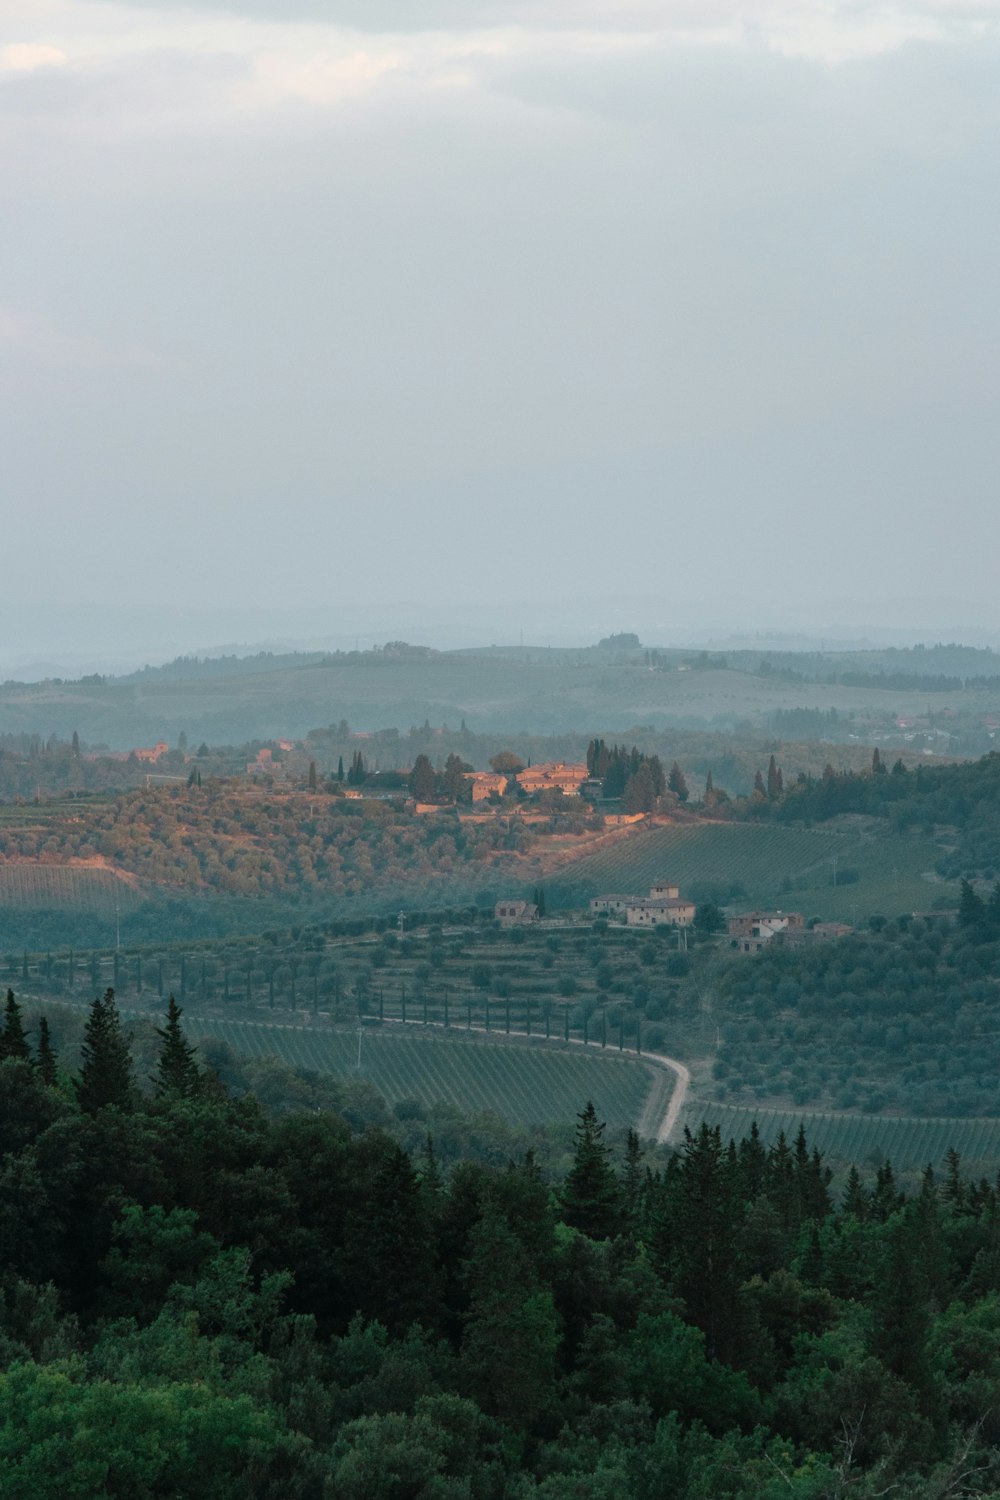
[774,866]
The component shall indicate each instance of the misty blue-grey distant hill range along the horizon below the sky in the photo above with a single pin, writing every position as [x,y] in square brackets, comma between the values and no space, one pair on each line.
[608,689]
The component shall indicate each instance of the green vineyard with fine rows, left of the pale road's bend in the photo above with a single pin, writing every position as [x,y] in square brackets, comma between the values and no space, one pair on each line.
[525,1085]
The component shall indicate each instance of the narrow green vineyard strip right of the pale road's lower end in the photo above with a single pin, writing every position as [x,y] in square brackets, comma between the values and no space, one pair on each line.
[866,1141]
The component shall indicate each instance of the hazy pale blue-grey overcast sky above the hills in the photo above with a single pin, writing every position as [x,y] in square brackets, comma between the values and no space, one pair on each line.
[308,305]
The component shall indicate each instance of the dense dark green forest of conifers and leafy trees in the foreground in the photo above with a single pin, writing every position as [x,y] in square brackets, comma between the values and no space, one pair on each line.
[197,1300]
